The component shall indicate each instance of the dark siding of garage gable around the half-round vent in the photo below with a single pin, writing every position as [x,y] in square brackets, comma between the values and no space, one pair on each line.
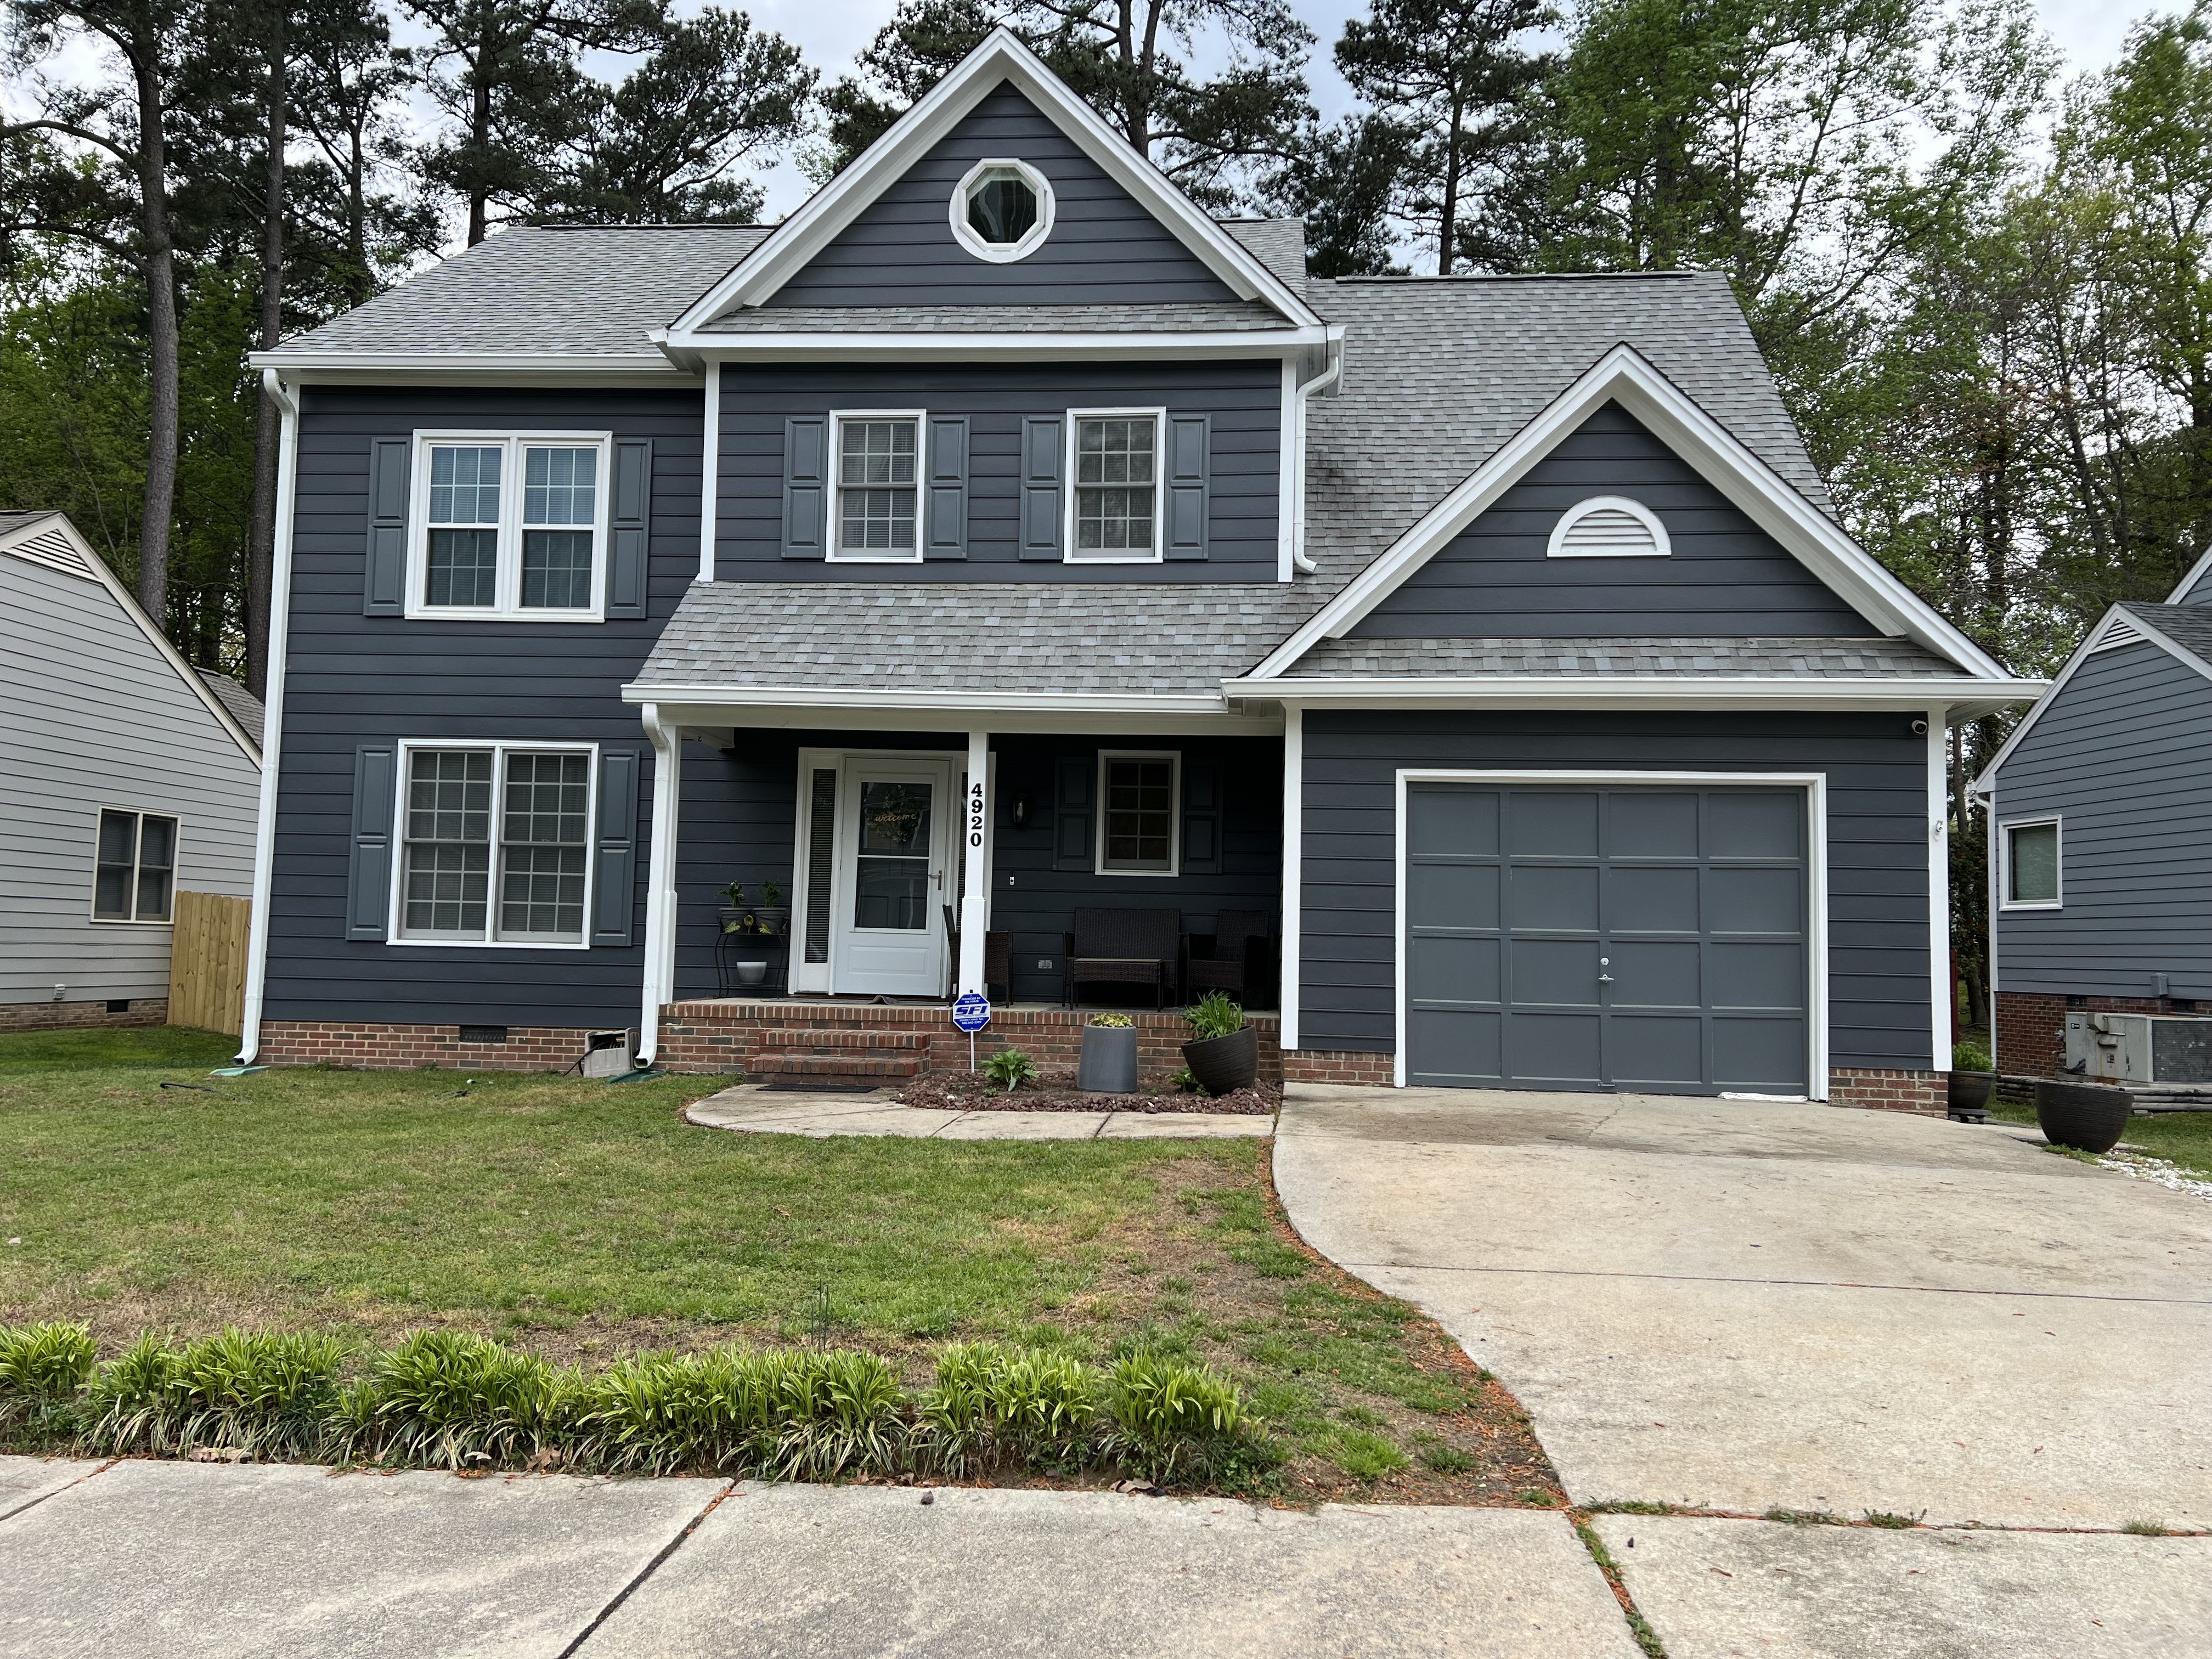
[1726,578]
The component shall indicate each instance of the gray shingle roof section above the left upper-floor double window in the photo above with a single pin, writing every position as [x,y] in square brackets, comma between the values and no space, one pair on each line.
[596,291]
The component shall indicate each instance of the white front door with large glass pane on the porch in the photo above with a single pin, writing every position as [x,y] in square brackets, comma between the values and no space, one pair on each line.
[888,928]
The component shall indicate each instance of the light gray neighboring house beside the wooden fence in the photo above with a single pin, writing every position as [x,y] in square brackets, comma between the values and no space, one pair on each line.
[125,775]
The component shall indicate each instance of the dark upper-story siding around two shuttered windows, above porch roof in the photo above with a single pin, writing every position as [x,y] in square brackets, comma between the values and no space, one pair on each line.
[1242,399]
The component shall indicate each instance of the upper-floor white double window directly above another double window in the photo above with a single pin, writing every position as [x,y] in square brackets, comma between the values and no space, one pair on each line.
[510,528]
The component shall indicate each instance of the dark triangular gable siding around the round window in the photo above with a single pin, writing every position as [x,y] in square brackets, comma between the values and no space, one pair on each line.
[1105,249]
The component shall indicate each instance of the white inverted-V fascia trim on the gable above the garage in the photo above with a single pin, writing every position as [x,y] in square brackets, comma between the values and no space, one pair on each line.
[1715,452]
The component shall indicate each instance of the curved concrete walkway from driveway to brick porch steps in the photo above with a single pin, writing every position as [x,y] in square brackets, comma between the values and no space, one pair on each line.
[775,1112]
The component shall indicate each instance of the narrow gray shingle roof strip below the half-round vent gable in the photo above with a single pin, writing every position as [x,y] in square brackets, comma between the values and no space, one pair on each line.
[1653,658]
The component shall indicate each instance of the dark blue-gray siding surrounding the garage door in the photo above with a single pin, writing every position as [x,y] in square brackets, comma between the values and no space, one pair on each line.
[1877,848]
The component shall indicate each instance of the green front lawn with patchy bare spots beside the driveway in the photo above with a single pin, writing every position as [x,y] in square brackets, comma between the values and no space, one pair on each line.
[587,1220]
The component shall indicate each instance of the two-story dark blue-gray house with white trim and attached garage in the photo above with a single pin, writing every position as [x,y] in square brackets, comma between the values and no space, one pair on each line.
[1001,536]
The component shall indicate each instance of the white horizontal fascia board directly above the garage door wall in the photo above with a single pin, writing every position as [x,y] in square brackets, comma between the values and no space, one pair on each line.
[1634,691]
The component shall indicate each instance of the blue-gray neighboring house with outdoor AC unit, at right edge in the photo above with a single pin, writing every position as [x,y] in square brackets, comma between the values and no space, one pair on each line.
[2100,811]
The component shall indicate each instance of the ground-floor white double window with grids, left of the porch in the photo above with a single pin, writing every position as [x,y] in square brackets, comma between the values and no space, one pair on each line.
[494,844]
